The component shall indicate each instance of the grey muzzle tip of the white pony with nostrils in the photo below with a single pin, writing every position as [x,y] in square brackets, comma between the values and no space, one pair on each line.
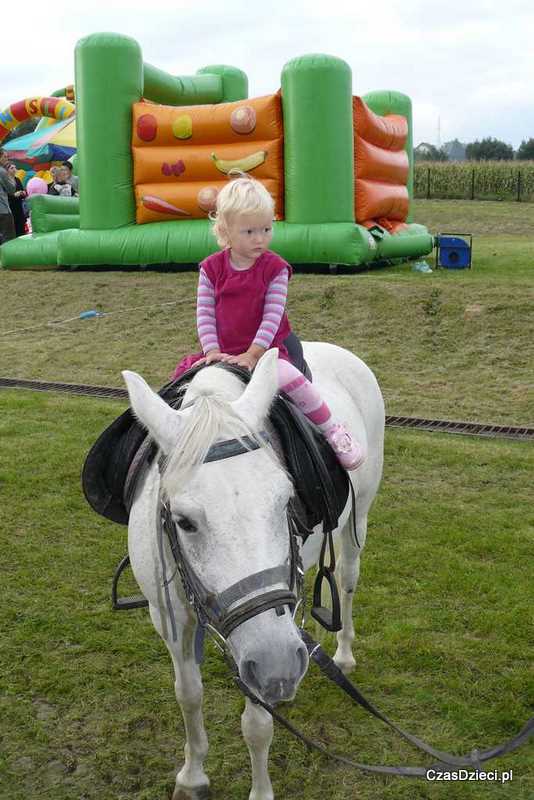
[276,682]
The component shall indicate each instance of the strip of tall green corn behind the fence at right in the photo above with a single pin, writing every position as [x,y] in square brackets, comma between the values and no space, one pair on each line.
[475,180]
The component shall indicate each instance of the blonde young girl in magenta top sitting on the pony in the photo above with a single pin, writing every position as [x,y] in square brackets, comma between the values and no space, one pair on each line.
[241,302]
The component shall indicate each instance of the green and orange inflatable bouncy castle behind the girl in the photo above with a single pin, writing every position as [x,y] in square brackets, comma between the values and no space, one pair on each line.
[154,150]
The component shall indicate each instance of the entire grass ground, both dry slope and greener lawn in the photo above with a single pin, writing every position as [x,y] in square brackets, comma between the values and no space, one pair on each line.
[443,614]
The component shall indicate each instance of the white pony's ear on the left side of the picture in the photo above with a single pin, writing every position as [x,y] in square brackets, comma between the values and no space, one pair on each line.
[162,422]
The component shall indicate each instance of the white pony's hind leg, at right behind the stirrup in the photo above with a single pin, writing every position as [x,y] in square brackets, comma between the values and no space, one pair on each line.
[350,572]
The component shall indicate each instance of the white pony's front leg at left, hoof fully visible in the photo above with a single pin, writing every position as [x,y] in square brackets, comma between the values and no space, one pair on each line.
[192,783]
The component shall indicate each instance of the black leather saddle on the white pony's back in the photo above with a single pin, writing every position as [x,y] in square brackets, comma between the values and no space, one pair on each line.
[121,452]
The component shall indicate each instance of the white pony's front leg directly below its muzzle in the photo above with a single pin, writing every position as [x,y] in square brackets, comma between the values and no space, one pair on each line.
[257,727]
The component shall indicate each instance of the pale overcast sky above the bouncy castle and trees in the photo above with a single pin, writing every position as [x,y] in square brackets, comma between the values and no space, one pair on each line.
[468,64]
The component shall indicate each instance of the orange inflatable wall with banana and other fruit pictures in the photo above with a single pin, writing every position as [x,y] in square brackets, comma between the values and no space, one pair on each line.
[182,155]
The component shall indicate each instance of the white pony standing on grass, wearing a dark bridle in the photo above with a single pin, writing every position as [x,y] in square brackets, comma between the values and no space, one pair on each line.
[231,519]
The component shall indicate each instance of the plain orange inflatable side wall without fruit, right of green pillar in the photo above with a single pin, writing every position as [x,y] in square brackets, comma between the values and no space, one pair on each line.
[381,168]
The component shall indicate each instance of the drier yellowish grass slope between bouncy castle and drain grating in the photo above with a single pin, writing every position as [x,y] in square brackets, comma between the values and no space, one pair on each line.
[449,344]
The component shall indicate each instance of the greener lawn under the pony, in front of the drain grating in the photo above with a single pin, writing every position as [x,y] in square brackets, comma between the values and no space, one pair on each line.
[443,618]
